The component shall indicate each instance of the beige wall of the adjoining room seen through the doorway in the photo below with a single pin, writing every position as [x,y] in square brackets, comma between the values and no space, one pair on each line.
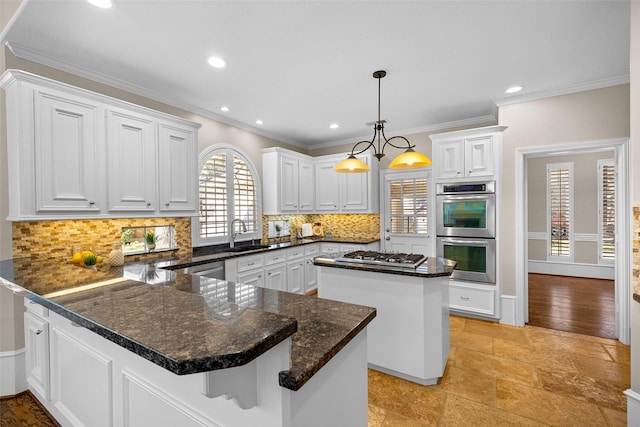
[585,196]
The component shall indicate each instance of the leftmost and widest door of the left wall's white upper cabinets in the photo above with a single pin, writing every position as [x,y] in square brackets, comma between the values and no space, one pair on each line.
[68,153]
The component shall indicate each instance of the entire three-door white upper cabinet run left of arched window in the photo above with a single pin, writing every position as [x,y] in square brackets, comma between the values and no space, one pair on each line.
[73,153]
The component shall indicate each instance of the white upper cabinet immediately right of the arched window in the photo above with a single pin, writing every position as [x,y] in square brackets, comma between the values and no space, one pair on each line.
[288,182]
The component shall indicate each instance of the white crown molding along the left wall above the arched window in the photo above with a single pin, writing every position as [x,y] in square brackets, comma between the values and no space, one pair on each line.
[49,61]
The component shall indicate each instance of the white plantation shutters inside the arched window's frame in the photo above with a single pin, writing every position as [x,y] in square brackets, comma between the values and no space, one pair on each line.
[227,191]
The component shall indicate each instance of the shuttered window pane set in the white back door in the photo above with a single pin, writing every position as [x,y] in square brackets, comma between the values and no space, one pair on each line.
[408,206]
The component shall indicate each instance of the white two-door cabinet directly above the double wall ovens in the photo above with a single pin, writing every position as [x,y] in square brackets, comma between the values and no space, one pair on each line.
[467,154]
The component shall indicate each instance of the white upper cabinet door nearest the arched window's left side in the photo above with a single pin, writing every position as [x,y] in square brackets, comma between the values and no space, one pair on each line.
[177,172]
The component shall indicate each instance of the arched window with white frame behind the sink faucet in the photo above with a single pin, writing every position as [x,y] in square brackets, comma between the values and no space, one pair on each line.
[229,189]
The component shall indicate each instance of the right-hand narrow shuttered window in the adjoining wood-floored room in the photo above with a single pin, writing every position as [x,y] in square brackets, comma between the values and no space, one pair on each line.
[607,210]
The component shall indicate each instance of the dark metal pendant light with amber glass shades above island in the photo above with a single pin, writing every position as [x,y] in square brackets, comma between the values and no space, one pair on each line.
[408,160]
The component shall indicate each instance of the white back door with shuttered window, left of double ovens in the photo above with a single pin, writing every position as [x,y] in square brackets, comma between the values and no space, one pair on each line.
[407,214]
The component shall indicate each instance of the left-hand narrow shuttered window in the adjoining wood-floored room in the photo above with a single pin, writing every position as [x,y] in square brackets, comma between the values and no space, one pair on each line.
[560,210]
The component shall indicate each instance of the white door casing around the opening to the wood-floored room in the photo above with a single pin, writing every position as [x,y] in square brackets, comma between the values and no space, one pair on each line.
[622,264]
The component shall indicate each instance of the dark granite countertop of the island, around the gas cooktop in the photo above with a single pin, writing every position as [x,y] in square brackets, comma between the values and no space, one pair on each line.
[432,267]
